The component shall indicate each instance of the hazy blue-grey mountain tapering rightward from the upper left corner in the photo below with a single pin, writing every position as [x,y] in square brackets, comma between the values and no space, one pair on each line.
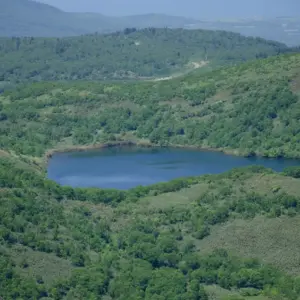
[29,18]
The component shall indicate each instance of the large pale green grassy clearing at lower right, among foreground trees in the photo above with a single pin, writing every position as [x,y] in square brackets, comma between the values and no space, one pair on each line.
[274,241]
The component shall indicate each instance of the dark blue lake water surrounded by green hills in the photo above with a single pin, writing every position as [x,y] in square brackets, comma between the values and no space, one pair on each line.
[124,168]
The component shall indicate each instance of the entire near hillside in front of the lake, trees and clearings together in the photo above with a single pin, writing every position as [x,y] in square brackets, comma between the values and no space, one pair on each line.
[64,243]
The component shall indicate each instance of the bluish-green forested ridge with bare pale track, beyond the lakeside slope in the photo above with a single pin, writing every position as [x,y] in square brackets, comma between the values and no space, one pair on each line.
[128,54]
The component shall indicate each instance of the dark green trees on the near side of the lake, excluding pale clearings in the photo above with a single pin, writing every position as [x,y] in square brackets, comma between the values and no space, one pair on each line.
[149,258]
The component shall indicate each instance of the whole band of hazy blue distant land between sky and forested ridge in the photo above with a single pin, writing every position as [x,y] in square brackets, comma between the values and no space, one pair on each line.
[29,18]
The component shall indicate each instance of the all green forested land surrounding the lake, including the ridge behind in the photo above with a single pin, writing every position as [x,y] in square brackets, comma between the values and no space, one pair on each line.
[232,236]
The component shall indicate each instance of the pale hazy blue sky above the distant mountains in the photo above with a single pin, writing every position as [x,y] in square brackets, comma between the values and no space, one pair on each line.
[192,8]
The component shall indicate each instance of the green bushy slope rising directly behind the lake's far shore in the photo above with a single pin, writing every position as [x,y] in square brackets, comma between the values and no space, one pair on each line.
[228,109]
